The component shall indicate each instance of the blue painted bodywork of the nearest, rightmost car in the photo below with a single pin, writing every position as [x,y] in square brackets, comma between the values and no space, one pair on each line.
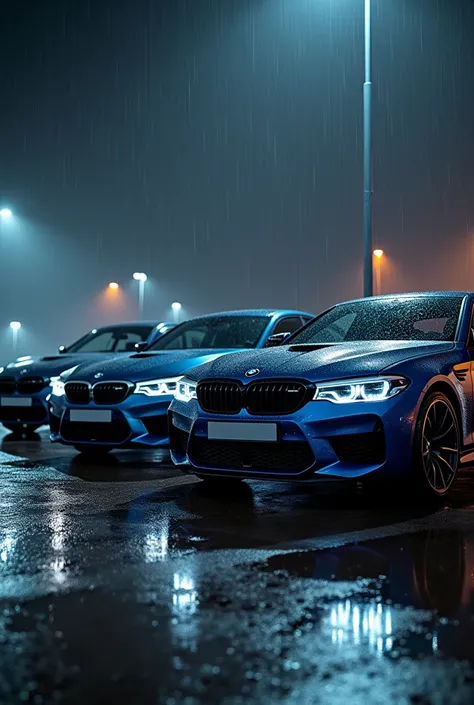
[423,363]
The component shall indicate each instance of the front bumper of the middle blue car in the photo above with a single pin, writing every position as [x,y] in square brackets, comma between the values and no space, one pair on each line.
[139,421]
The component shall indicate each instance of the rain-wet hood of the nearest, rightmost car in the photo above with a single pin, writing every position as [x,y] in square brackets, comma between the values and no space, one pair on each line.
[315,363]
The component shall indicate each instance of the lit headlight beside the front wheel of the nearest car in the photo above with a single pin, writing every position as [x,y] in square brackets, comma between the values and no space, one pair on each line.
[357,390]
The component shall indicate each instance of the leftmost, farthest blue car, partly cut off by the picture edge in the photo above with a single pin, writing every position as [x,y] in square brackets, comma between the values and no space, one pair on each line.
[26,382]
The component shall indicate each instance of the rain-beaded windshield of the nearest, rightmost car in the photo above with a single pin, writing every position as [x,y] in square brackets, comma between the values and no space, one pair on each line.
[409,318]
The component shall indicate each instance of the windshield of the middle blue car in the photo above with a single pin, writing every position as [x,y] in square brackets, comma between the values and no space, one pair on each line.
[216,332]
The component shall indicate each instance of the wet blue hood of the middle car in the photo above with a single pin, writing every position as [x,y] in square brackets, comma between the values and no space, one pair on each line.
[145,366]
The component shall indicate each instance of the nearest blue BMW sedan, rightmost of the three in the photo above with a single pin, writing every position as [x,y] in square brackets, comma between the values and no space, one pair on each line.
[378,388]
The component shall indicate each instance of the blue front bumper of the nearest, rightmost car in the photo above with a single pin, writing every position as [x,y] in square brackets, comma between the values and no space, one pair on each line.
[320,440]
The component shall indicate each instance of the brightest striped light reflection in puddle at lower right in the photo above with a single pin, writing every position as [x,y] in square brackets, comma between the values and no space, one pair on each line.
[364,624]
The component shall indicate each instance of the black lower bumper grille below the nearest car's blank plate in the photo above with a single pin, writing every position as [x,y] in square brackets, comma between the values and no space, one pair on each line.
[285,456]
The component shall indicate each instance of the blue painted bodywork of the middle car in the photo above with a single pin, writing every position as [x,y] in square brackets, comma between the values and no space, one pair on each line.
[162,364]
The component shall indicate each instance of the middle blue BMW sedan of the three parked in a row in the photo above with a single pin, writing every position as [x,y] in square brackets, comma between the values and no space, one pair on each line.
[123,403]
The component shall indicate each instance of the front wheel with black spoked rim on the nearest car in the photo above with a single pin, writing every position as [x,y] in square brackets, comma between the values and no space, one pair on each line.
[436,448]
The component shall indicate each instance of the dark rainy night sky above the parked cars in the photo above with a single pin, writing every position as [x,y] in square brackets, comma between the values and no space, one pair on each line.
[216,145]
